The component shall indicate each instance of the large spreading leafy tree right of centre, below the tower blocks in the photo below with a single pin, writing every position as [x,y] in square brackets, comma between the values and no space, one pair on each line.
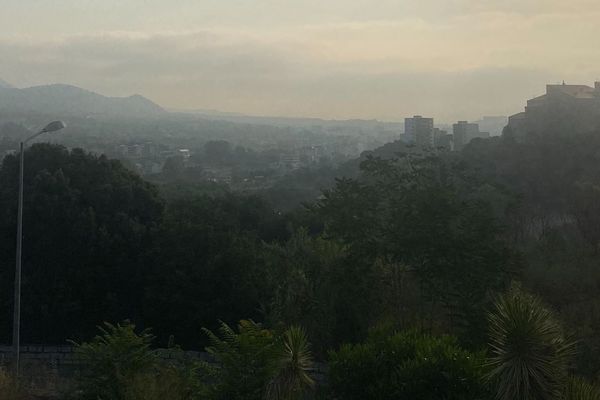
[434,217]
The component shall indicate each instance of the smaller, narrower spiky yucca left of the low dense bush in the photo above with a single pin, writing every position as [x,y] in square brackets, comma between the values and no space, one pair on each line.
[294,364]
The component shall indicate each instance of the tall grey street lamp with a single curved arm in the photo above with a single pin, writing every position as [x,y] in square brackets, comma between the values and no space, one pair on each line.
[51,127]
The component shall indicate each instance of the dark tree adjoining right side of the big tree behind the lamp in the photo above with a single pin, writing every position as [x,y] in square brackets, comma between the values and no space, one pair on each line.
[207,264]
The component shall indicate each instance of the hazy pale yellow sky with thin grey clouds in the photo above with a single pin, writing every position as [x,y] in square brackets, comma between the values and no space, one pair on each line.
[386,59]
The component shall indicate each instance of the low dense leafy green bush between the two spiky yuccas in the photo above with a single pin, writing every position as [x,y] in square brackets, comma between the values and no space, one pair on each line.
[406,365]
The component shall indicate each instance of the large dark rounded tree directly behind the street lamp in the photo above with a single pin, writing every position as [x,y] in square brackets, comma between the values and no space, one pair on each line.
[87,227]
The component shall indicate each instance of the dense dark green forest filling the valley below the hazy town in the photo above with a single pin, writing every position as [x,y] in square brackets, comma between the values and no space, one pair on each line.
[409,255]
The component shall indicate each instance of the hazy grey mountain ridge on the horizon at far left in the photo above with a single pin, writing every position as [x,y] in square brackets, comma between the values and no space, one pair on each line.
[70,100]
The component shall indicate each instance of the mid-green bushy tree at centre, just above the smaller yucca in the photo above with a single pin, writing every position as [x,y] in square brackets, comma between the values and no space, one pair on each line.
[316,284]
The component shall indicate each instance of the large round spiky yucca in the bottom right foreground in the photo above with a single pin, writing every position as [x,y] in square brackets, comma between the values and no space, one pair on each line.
[530,352]
